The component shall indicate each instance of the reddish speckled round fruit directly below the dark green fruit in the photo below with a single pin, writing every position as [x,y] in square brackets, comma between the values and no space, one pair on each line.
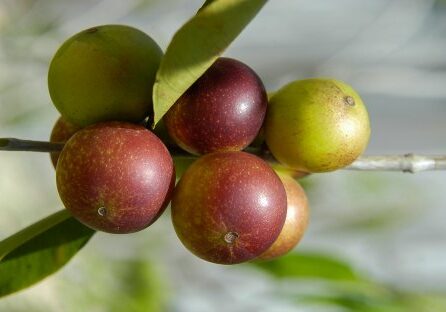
[115,177]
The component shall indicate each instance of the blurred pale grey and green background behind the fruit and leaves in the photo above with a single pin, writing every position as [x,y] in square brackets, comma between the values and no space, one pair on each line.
[387,230]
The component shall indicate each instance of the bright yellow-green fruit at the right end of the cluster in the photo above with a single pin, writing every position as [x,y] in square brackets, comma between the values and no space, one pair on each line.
[316,125]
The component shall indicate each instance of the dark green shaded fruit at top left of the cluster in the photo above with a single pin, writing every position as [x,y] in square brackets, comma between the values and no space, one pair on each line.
[104,73]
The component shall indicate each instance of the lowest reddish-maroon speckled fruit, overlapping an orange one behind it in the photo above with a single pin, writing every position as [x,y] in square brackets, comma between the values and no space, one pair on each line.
[228,207]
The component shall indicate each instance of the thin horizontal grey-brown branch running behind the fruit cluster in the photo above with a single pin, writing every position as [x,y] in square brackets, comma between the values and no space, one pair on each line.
[405,163]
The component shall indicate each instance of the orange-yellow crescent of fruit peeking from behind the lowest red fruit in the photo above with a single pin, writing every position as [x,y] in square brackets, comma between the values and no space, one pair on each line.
[295,223]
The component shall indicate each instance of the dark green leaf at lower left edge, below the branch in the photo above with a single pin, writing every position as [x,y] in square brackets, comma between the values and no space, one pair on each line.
[40,250]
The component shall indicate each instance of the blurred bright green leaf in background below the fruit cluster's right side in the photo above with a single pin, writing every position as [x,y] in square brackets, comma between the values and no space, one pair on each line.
[308,265]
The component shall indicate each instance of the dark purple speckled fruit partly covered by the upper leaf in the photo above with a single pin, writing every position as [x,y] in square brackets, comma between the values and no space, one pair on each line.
[222,111]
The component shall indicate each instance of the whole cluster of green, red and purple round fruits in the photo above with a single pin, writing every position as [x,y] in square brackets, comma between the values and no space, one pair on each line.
[116,175]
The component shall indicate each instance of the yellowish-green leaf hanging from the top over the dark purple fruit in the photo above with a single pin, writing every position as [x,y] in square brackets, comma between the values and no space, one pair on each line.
[196,45]
